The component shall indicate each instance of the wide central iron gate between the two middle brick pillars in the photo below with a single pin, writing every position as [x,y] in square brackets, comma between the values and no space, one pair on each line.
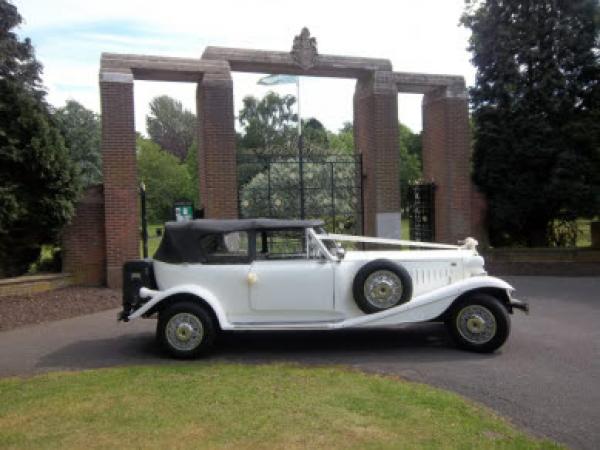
[326,187]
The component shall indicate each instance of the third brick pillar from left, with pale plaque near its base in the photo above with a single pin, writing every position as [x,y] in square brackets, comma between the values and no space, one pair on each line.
[376,139]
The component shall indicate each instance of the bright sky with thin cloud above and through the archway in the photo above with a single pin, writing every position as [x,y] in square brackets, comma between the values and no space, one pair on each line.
[416,36]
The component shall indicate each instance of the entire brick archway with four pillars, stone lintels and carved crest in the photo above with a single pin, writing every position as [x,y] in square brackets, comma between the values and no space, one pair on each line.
[446,142]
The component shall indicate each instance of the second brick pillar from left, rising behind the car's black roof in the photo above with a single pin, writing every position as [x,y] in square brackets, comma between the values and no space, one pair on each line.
[216,147]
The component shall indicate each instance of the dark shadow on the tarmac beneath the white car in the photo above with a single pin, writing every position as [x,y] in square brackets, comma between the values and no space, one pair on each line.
[418,343]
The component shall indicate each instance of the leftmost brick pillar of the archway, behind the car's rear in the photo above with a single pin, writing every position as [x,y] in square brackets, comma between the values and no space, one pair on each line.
[120,173]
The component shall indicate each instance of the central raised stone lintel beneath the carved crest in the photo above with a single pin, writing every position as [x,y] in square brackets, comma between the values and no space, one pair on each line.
[264,61]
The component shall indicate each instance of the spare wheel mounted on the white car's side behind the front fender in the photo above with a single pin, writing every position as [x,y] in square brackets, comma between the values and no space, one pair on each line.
[380,285]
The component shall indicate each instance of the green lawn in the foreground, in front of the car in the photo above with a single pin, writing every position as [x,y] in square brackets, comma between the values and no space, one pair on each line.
[201,405]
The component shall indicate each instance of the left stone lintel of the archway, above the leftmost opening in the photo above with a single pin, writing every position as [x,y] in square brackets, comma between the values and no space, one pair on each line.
[157,68]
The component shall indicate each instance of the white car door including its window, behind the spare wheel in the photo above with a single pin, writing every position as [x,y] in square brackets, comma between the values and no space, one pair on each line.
[284,277]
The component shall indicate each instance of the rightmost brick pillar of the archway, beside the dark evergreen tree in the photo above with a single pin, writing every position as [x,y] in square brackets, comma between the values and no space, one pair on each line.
[447,160]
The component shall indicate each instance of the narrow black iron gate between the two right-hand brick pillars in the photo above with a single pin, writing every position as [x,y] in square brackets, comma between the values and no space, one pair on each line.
[421,212]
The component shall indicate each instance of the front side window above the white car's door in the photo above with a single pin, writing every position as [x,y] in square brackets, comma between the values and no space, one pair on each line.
[281,244]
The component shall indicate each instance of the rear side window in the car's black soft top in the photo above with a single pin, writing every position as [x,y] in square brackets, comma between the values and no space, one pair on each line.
[230,248]
